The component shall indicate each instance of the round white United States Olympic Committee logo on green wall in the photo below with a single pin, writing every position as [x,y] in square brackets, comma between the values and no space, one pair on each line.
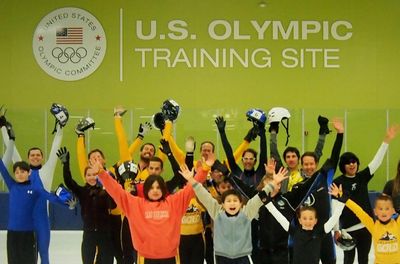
[69,44]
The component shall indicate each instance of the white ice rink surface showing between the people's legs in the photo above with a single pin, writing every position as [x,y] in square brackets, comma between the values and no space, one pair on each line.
[65,248]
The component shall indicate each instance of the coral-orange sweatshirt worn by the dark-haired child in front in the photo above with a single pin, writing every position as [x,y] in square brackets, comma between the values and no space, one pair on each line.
[155,226]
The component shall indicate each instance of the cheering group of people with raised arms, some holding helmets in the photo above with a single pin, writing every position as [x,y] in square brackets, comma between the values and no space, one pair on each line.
[210,210]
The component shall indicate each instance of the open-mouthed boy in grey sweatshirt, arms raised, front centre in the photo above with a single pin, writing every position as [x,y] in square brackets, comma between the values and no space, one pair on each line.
[232,220]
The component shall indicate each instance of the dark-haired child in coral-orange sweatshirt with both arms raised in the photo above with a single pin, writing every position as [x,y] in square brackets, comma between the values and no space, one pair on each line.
[155,220]
